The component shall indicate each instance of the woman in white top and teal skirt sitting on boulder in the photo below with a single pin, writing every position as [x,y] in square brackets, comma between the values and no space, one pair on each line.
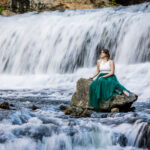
[106,85]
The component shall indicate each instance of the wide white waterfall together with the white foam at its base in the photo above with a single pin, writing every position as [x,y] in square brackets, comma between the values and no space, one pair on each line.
[53,49]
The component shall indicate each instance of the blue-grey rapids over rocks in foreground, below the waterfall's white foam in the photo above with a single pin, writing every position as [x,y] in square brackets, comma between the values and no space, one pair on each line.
[40,122]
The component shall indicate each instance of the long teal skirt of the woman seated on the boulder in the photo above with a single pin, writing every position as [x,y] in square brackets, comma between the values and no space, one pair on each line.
[104,89]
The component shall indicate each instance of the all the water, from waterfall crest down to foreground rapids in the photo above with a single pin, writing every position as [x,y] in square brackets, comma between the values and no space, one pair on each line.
[42,55]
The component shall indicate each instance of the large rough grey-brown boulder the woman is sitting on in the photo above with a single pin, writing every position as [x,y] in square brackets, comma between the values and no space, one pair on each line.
[80,98]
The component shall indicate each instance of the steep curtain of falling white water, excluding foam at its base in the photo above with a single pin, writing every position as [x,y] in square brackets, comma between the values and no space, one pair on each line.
[61,42]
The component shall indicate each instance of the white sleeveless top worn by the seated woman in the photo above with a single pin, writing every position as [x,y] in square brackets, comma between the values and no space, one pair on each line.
[104,67]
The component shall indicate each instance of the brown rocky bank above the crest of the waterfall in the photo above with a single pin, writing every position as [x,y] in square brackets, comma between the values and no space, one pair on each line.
[12,7]
